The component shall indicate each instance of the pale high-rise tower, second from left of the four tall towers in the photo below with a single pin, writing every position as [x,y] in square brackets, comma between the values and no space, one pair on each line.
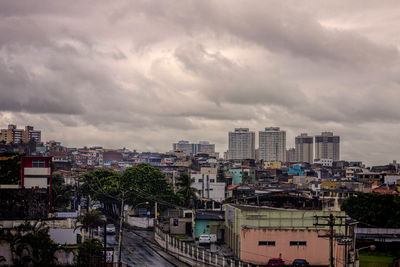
[272,144]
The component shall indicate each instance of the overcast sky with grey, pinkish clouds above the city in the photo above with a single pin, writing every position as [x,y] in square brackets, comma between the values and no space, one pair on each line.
[144,74]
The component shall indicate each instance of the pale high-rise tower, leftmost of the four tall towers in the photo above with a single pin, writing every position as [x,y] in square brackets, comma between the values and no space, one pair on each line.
[241,144]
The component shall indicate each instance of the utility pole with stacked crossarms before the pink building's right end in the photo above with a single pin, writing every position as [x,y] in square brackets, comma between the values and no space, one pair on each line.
[330,221]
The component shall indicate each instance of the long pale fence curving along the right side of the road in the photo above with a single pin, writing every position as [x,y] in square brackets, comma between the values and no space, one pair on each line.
[192,254]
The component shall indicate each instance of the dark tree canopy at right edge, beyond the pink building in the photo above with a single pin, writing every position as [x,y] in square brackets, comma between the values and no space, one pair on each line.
[374,210]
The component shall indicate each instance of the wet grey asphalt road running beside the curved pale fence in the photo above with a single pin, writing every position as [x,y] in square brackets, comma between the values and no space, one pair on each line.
[140,253]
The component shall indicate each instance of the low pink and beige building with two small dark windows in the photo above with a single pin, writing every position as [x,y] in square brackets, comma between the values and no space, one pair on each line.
[256,234]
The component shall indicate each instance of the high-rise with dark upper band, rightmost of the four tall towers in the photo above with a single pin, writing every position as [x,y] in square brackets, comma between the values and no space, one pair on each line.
[327,146]
